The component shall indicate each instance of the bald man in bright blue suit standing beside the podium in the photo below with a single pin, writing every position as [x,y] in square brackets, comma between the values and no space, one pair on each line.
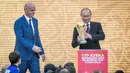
[28,41]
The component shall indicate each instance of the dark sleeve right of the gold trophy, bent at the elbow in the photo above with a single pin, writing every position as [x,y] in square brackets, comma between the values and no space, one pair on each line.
[99,35]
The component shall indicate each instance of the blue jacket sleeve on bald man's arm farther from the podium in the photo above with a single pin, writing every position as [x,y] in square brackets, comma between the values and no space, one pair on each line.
[18,29]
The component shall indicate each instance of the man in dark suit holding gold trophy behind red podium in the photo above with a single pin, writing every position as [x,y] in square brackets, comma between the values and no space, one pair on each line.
[93,34]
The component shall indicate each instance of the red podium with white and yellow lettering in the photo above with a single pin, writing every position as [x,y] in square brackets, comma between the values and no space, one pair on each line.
[92,60]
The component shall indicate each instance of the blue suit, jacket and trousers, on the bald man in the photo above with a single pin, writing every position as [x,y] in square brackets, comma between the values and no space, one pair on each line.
[25,41]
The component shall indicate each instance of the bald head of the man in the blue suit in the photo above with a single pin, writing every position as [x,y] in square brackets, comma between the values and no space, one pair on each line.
[29,9]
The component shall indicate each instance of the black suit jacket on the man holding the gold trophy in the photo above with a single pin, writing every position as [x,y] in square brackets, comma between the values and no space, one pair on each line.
[96,33]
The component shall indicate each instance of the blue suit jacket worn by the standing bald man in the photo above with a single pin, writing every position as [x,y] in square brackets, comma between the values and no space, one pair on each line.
[25,39]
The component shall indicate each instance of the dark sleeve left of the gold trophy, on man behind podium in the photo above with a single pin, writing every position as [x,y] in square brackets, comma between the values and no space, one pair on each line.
[75,42]
